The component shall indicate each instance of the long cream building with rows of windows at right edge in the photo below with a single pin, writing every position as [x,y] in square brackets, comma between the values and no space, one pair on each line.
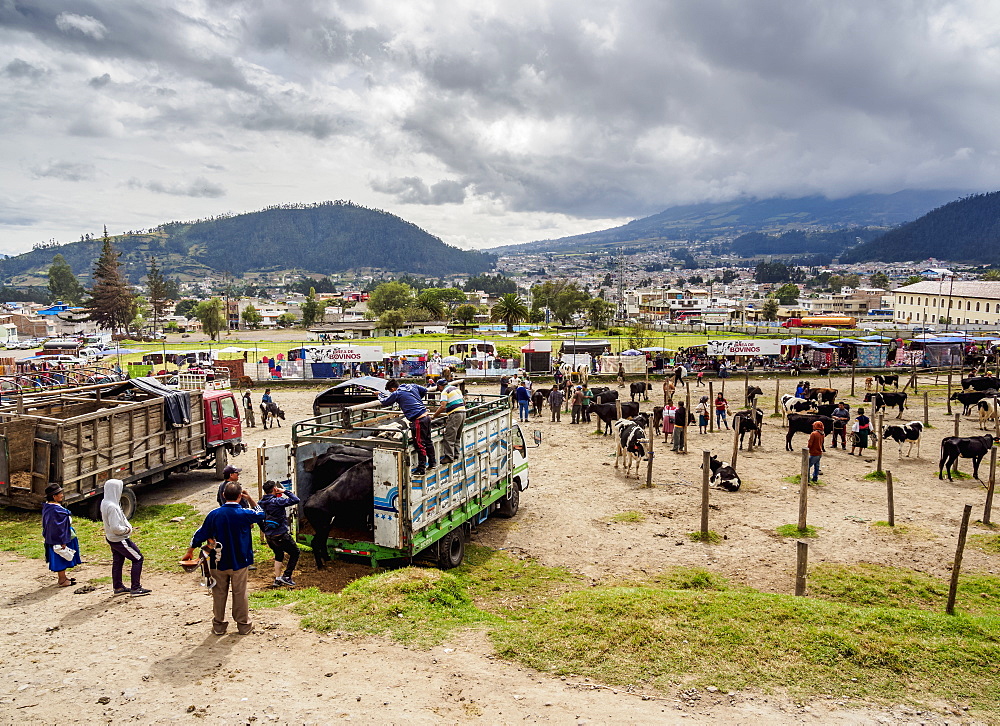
[965,302]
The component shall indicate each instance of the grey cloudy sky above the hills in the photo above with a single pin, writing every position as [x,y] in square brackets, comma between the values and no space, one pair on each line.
[484,122]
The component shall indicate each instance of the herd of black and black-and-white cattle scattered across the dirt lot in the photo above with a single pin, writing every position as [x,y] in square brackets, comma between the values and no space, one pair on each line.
[799,413]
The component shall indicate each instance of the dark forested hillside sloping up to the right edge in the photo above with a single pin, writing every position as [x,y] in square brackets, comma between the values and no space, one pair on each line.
[967,230]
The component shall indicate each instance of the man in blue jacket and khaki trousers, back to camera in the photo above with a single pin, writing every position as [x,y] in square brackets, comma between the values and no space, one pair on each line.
[230,525]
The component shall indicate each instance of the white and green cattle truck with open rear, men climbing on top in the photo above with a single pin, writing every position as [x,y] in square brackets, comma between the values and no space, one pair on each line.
[429,515]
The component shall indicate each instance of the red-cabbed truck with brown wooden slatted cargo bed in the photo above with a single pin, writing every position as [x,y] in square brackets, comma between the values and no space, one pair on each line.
[79,438]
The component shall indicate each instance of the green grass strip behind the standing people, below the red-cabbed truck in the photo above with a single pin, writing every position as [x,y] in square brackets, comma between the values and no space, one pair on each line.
[162,542]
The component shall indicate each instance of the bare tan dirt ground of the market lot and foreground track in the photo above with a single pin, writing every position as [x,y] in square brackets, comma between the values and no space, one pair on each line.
[88,657]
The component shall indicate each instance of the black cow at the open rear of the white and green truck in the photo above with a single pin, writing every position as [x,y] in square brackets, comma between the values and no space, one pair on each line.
[340,482]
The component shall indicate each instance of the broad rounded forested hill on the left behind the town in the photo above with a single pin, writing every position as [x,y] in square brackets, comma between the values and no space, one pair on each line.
[327,237]
